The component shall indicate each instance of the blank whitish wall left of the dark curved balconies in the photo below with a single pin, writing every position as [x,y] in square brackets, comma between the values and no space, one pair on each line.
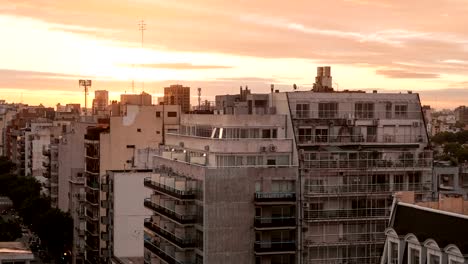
[129,213]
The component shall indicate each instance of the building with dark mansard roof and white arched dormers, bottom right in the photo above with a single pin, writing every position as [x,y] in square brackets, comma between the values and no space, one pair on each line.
[431,232]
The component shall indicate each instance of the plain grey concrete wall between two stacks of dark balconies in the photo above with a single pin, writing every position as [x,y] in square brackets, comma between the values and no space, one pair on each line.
[229,211]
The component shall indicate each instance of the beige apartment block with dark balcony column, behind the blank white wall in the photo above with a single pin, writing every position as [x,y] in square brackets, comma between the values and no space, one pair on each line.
[114,146]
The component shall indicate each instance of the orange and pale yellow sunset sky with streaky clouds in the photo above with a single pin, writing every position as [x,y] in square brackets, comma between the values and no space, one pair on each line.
[385,45]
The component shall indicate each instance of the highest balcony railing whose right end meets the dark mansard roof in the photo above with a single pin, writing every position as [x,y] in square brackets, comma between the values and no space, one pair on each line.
[312,215]
